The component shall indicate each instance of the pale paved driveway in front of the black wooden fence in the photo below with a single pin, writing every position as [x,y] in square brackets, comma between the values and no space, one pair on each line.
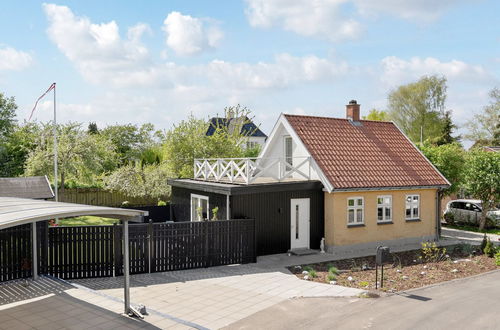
[218,296]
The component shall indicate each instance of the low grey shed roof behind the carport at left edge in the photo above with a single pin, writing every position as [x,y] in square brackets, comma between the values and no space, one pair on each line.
[34,187]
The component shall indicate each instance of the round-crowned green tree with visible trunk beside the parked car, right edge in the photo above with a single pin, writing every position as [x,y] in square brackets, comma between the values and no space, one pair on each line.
[482,179]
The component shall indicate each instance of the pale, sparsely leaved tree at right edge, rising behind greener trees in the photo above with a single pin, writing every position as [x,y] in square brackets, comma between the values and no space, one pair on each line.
[485,126]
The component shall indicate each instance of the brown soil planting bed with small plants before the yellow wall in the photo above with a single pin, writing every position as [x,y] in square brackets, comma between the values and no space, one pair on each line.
[408,270]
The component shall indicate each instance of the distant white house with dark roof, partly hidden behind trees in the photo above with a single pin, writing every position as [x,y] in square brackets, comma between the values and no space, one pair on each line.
[254,136]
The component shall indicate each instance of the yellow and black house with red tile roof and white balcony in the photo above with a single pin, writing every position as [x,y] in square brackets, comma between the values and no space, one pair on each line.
[357,183]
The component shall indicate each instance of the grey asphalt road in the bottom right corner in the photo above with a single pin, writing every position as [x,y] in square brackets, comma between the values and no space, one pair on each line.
[472,303]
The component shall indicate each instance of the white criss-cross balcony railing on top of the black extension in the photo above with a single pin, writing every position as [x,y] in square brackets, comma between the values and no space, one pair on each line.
[248,170]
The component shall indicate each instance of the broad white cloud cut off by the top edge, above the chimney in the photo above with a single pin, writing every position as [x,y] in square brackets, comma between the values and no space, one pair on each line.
[335,20]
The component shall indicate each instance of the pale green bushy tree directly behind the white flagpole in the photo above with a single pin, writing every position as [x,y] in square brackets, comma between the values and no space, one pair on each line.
[82,157]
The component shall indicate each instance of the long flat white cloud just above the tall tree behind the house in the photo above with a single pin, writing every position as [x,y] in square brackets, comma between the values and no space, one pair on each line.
[396,70]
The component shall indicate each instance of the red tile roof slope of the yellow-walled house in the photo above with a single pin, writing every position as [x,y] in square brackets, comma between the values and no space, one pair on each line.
[373,155]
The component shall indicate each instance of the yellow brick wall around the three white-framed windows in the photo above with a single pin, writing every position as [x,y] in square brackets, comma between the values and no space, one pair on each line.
[338,233]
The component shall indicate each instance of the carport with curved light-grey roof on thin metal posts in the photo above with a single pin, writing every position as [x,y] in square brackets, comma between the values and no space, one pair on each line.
[20,211]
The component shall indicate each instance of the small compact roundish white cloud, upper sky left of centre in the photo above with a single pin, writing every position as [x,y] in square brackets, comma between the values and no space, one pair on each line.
[188,35]
